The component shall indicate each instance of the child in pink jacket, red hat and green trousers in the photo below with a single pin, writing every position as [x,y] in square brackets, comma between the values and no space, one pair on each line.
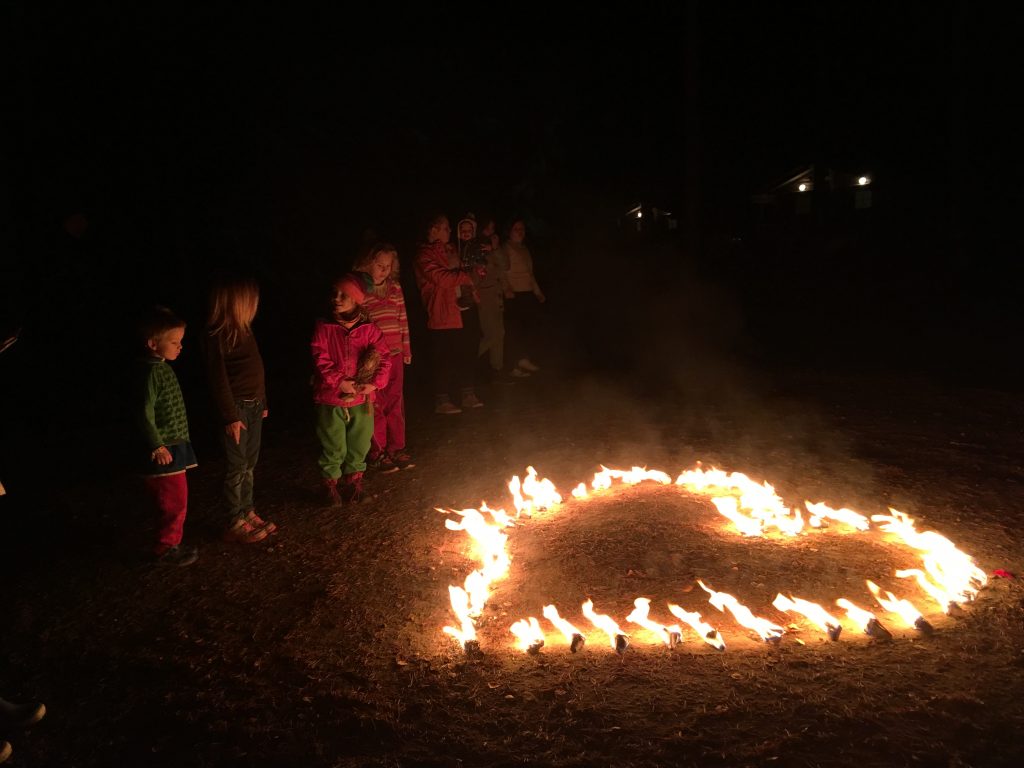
[353,361]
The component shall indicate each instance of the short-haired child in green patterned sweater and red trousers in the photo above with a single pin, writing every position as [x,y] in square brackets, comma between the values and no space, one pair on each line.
[164,428]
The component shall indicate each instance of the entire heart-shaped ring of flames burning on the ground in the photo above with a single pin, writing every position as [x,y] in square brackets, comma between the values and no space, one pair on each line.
[948,577]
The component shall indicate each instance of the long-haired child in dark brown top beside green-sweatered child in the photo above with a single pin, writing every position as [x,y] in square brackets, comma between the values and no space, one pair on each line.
[235,369]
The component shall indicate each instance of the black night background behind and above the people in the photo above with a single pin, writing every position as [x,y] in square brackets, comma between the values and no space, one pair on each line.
[148,148]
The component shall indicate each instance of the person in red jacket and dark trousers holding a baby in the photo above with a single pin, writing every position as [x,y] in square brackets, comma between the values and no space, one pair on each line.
[450,300]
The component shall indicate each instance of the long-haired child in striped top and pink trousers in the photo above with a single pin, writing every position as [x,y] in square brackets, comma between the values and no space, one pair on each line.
[386,306]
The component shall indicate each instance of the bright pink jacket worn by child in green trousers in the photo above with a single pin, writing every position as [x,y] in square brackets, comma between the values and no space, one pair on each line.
[336,356]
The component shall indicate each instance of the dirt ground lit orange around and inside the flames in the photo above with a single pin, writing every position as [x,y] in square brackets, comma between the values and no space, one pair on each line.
[324,647]
